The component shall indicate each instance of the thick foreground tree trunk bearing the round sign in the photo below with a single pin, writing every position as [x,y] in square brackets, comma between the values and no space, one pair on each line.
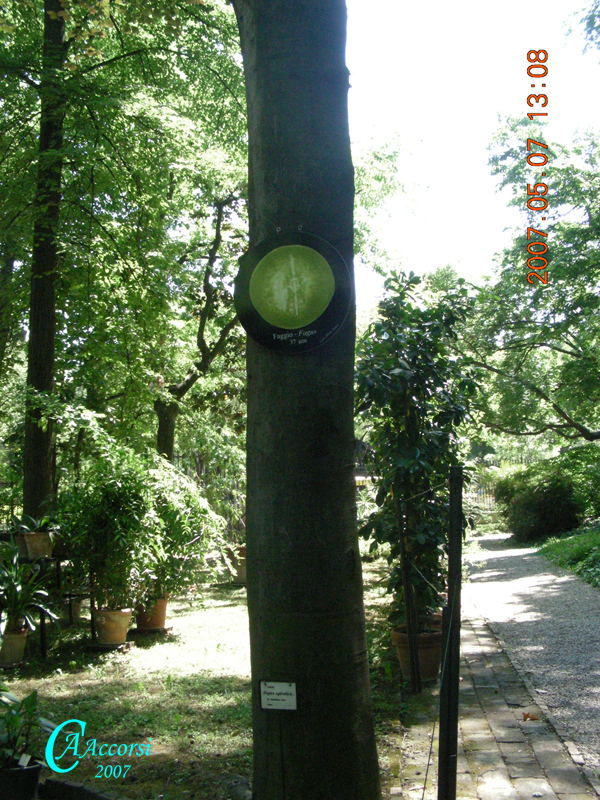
[304,574]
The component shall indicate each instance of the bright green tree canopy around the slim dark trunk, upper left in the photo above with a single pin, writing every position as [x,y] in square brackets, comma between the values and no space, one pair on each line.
[154,141]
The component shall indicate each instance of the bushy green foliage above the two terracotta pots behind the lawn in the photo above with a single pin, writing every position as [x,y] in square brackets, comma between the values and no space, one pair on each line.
[136,524]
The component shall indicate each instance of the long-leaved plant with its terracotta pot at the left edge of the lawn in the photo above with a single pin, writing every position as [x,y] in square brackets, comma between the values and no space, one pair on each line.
[21,593]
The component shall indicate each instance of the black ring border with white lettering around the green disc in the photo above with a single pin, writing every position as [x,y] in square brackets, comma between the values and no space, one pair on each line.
[311,336]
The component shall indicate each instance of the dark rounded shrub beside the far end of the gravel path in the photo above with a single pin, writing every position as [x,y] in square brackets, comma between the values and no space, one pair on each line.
[537,506]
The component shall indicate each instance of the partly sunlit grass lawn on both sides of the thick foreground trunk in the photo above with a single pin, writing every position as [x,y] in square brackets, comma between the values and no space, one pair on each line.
[188,692]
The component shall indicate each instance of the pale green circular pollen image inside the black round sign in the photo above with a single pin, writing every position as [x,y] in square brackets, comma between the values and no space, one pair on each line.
[291,286]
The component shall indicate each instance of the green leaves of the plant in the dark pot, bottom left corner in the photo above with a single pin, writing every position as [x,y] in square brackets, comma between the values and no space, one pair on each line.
[21,728]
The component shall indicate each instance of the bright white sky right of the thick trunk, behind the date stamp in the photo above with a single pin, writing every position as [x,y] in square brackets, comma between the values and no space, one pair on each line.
[439,74]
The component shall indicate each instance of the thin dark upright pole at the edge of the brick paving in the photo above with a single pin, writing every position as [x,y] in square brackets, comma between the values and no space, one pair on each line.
[451,637]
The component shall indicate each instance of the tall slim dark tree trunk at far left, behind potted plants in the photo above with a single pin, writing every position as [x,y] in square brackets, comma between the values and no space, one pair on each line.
[37,478]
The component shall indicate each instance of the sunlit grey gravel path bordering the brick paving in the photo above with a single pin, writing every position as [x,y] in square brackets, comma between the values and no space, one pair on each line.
[550,620]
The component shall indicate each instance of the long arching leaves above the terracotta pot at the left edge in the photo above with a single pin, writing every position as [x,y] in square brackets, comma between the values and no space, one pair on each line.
[22,591]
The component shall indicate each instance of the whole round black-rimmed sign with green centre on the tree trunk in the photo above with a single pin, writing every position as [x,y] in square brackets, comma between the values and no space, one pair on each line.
[292,293]
